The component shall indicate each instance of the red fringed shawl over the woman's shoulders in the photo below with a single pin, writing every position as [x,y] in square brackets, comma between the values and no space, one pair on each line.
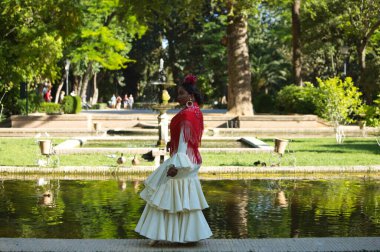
[190,119]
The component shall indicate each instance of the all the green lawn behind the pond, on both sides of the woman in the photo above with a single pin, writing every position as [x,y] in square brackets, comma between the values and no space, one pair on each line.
[308,152]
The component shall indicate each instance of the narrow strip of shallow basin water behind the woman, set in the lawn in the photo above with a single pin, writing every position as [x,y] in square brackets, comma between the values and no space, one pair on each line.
[153,143]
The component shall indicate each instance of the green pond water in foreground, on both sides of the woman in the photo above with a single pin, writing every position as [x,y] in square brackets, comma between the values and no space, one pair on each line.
[238,208]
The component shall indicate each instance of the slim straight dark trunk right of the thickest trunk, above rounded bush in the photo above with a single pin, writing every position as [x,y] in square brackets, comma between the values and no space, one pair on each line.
[296,43]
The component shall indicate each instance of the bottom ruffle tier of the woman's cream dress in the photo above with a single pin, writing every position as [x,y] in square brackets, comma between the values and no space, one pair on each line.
[179,227]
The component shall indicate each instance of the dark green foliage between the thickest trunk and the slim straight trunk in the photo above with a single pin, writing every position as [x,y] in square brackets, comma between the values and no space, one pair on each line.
[268,49]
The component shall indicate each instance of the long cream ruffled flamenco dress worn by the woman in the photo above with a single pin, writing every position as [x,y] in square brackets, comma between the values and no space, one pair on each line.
[174,204]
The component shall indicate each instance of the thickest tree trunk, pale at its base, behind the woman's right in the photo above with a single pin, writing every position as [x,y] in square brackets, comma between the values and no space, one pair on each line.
[239,70]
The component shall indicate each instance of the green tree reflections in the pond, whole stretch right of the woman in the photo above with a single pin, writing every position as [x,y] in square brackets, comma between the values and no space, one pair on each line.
[315,208]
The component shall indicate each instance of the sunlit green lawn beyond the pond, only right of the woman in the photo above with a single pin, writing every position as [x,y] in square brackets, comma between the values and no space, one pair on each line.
[309,152]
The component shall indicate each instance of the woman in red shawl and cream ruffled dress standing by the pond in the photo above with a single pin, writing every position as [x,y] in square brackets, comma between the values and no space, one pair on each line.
[173,192]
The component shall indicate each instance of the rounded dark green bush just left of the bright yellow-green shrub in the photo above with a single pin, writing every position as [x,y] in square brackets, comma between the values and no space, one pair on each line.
[296,99]
